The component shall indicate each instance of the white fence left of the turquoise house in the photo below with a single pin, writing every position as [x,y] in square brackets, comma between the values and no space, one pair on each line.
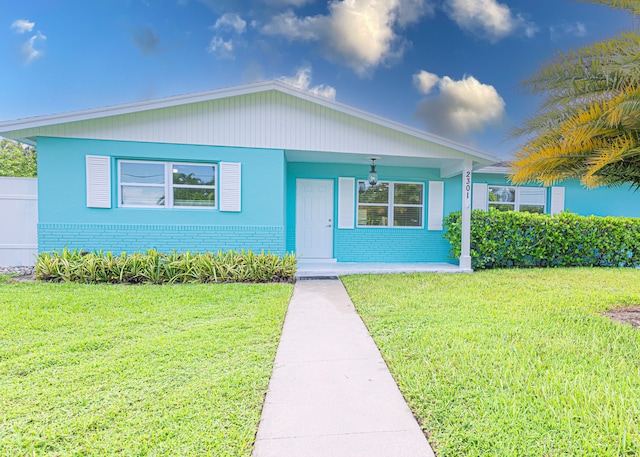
[18,221]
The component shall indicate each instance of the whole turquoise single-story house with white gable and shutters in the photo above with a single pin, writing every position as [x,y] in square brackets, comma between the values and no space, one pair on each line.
[266,167]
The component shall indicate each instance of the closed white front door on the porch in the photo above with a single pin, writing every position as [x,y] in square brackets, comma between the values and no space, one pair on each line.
[314,218]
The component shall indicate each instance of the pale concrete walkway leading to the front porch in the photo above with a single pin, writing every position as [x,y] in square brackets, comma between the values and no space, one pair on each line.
[331,393]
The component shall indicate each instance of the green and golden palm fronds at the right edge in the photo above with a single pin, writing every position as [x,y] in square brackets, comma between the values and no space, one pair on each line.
[588,126]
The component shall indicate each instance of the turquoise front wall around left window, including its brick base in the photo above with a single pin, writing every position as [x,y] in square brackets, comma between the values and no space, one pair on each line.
[66,221]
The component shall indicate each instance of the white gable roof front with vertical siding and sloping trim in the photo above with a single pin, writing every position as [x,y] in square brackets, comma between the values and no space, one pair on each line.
[267,114]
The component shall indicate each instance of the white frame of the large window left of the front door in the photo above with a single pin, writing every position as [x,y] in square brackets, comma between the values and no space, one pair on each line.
[168,185]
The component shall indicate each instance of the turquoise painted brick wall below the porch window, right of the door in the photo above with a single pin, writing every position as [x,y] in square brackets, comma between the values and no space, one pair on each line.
[390,245]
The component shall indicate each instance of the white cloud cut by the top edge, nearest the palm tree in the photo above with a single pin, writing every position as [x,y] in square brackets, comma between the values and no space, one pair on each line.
[487,18]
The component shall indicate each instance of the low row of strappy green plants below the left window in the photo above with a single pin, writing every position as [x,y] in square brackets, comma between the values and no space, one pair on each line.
[158,268]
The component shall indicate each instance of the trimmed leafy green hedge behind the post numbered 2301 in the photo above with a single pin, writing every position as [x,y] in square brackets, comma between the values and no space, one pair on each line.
[513,239]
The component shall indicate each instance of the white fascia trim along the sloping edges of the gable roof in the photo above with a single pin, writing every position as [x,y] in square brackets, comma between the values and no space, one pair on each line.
[76,116]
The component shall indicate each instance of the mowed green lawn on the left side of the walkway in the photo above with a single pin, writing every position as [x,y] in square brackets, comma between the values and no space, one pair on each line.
[135,370]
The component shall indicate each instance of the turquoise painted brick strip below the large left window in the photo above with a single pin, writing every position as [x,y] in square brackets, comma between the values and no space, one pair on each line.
[129,237]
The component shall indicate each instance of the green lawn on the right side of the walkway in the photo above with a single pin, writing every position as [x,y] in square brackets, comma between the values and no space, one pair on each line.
[512,362]
